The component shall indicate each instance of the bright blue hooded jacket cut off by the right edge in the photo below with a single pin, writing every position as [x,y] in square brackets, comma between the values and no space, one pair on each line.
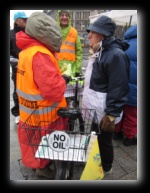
[131,37]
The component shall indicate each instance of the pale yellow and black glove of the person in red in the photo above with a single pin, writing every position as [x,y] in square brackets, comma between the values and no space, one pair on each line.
[66,72]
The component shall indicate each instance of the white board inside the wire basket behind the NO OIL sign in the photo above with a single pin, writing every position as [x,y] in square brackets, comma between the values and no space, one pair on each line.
[76,151]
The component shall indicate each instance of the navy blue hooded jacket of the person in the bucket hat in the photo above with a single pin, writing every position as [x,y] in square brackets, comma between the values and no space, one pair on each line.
[110,74]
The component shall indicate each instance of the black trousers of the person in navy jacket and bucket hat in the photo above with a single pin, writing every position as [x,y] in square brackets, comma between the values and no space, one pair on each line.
[106,147]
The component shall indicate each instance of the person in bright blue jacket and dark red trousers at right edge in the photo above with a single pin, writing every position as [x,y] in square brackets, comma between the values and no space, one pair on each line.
[128,125]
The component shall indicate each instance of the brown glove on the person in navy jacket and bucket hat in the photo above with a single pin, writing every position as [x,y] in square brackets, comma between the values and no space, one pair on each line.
[107,123]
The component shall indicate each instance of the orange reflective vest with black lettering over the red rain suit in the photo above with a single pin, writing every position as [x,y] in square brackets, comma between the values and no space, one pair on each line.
[28,94]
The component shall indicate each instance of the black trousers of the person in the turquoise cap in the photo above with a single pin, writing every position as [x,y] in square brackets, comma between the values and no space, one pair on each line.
[15,108]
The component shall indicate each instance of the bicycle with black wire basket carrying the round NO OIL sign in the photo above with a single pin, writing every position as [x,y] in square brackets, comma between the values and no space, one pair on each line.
[66,146]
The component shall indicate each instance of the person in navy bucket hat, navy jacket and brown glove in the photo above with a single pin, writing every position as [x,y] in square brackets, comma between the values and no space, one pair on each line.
[106,83]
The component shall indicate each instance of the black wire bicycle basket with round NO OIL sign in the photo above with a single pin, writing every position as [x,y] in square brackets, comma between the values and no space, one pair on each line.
[61,139]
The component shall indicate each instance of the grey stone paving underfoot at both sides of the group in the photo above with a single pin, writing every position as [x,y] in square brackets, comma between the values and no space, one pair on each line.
[124,165]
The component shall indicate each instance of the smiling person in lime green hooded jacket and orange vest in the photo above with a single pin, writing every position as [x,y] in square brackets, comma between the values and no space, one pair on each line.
[71,48]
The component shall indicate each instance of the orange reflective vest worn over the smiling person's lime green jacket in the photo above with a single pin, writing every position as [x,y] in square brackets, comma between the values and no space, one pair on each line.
[67,50]
